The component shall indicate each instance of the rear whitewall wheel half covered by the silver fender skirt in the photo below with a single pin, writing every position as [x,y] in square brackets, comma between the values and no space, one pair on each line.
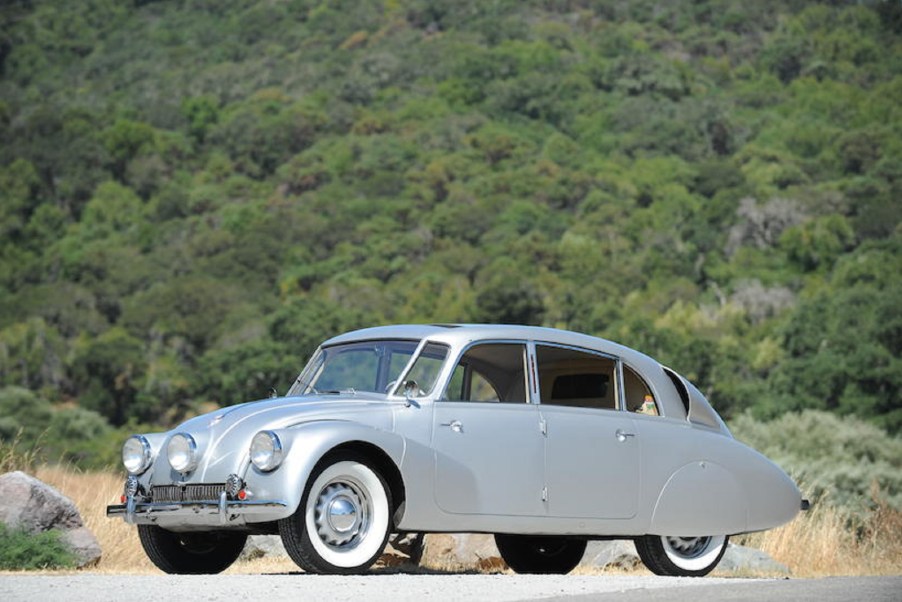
[681,556]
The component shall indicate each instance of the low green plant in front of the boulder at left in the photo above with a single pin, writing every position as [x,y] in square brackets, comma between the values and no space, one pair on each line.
[22,550]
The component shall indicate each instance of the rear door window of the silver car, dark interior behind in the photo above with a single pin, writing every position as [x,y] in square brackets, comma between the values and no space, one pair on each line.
[569,377]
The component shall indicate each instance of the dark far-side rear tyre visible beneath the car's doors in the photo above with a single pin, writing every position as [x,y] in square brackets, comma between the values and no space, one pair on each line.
[540,554]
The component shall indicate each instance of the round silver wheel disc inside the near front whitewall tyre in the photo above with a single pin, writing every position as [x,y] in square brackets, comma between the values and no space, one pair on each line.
[342,514]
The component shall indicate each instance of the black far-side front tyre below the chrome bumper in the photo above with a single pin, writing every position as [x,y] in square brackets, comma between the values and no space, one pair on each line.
[193,553]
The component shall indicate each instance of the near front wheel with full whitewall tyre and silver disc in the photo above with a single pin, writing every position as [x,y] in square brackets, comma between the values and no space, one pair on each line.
[343,521]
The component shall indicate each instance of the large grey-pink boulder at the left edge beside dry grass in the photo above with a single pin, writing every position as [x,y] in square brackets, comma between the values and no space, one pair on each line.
[26,502]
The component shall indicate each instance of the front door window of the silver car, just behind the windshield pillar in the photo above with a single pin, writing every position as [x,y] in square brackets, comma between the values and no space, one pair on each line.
[490,372]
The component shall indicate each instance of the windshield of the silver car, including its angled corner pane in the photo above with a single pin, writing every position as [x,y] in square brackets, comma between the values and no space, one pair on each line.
[370,366]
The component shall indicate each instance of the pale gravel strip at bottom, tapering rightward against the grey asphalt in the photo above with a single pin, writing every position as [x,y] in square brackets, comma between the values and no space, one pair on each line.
[373,588]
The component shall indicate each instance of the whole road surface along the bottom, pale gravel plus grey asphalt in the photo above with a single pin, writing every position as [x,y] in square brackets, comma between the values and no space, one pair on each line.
[404,587]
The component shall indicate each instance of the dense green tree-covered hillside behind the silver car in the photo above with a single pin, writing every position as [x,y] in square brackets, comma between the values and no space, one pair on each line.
[194,193]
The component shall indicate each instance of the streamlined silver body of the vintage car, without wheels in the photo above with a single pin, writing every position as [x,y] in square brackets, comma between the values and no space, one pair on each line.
[524,466]
